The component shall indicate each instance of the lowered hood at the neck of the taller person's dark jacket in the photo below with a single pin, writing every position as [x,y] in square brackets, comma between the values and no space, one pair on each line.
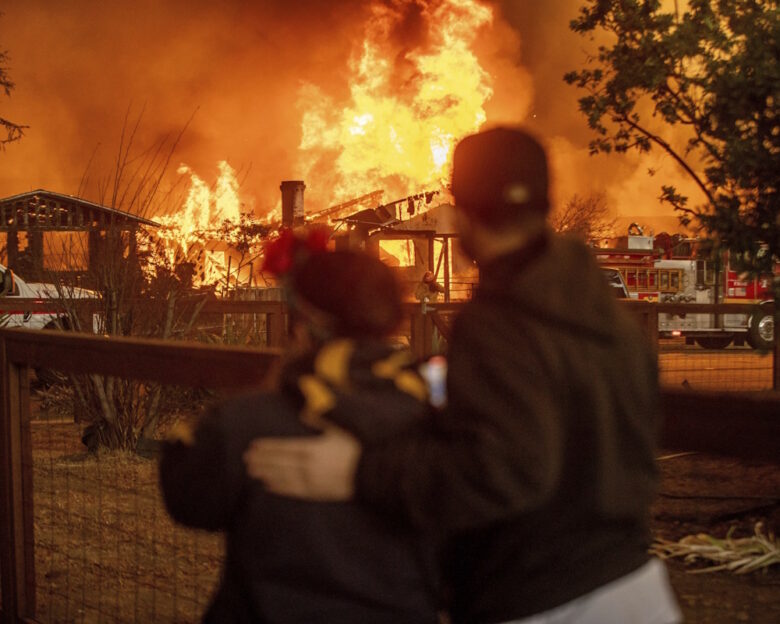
[585,303]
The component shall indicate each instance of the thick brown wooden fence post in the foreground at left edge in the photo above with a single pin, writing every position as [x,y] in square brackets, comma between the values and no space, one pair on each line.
[17,548]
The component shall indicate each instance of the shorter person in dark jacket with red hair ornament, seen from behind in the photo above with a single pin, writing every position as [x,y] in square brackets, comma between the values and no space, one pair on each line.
[289,560]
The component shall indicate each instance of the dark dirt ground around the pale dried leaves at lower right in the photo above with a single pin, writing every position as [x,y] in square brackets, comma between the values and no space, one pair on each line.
[713,495]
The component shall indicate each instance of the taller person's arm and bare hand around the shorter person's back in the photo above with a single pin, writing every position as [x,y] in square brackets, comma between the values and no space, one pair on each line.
[494,452]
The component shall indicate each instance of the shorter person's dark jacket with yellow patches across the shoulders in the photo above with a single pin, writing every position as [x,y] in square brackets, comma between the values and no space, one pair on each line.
[289,560]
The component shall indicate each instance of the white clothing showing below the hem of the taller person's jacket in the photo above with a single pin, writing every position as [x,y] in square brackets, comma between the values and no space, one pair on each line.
[642,597]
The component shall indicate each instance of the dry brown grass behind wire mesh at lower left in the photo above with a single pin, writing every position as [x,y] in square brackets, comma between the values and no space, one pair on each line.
[105,548]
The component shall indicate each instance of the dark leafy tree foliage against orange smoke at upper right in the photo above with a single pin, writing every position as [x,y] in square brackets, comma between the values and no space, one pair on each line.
[710,75]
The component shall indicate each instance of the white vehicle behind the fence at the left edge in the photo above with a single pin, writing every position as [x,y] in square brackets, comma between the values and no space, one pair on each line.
[41,317]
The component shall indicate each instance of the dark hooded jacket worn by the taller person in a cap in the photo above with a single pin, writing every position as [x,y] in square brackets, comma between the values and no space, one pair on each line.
[541,468]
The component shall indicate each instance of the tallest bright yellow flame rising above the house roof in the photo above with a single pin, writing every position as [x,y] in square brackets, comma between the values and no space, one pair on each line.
[410,101]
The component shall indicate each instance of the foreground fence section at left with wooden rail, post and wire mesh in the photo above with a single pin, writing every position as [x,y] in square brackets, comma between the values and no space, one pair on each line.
[88,536]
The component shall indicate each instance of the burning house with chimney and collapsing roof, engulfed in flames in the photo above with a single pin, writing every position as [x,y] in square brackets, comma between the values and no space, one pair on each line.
[414,85]
